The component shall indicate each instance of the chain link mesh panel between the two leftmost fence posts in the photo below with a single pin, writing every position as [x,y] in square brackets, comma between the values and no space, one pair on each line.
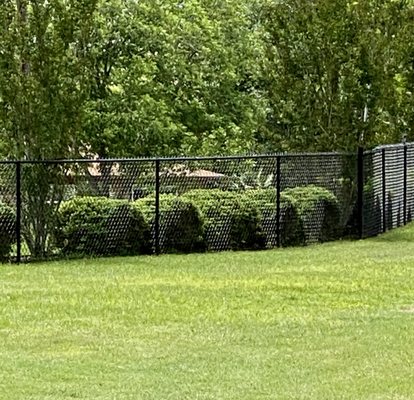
[100,224]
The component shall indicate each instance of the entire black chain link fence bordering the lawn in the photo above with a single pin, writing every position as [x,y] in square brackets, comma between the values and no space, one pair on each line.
[71,208]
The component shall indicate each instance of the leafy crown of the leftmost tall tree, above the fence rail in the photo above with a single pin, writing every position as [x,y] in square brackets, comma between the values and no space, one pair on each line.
[42,83]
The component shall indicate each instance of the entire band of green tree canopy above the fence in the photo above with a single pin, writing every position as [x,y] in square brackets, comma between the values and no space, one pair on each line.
[163,77]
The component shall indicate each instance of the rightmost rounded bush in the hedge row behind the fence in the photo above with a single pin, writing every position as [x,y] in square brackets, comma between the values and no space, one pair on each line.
[319,211]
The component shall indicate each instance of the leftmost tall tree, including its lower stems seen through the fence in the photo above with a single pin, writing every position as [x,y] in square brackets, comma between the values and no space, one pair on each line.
[42,88]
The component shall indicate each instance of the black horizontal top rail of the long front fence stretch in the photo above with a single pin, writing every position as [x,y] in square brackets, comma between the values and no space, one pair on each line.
[178,159]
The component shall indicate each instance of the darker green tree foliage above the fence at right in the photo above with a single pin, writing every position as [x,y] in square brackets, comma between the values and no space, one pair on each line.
[337,73]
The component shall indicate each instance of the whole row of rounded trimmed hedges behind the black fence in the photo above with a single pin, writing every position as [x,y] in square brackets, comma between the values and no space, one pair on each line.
[196,221]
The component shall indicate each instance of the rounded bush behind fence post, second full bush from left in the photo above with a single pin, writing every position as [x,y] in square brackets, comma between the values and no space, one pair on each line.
[181,225]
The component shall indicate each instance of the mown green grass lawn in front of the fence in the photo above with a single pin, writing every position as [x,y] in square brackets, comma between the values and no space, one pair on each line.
[334,321]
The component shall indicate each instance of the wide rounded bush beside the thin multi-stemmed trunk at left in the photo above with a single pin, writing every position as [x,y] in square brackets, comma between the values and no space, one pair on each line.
[101,226]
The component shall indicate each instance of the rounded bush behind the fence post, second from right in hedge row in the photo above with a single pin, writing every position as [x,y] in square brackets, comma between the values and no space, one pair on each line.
[291,225]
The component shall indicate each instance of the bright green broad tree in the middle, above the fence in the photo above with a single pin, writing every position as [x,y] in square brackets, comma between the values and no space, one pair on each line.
[173,77]
